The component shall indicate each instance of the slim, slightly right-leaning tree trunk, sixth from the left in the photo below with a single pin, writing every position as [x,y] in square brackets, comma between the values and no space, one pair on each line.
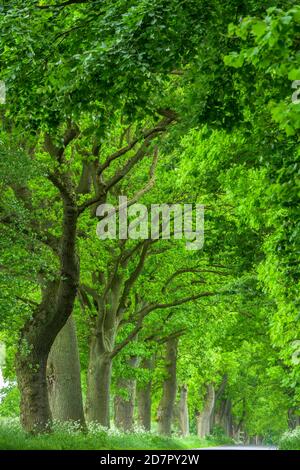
[166,406]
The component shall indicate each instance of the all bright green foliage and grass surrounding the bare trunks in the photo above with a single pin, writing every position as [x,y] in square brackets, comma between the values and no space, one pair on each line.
[108,69]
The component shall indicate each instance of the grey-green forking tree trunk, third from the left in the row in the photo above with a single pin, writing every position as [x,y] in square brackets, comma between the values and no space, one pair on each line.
[98,384]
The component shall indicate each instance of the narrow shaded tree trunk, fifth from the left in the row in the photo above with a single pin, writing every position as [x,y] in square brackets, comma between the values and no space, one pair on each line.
[144,399]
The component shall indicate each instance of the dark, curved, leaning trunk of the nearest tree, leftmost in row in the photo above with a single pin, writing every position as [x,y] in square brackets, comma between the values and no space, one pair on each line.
[40,331]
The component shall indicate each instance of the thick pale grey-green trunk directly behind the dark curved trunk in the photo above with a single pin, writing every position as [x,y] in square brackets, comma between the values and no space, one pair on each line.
[63,377]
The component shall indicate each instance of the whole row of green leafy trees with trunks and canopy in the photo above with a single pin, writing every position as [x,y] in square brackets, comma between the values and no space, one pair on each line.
[106,100]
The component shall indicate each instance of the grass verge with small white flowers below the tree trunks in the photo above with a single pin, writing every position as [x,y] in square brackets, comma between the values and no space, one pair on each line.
[12,437]
